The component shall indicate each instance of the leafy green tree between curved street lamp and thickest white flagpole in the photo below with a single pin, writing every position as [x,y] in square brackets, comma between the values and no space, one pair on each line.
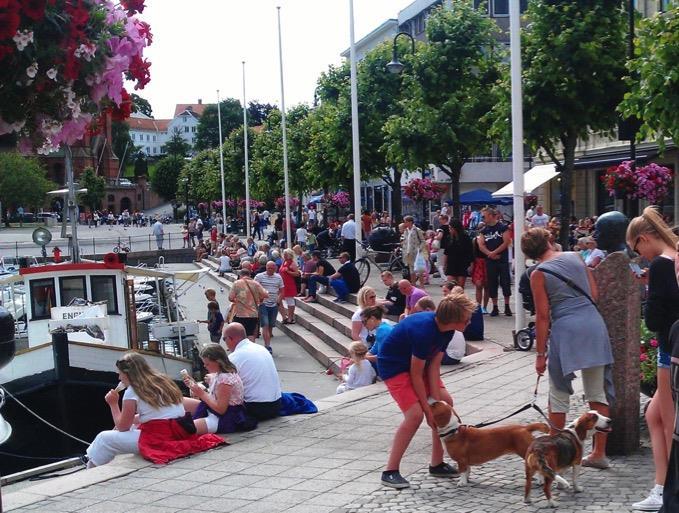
[448,94]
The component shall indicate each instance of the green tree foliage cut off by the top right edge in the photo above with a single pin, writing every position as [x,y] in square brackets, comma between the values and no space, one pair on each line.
[654,88]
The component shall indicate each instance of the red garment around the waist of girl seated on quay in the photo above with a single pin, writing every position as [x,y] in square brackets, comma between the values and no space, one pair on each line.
[162,441]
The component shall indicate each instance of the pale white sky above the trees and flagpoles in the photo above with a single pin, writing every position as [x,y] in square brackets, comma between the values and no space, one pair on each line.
[198,47]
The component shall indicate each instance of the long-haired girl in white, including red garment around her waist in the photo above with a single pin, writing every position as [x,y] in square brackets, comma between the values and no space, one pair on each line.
[161,433]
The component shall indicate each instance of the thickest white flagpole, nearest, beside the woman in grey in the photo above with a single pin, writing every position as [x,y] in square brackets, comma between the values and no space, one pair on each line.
[517,157]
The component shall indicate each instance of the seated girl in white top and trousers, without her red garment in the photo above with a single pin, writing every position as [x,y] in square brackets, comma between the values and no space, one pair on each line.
[149,396]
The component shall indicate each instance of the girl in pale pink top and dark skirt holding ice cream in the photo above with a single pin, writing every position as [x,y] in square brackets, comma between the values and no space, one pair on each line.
[220,408]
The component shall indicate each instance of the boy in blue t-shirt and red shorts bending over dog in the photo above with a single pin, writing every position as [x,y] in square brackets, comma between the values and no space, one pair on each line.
[409,362]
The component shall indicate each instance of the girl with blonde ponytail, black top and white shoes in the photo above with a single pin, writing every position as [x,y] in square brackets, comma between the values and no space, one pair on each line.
[649,236]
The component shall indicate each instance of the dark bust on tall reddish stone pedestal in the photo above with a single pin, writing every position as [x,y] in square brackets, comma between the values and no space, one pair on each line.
[620,306]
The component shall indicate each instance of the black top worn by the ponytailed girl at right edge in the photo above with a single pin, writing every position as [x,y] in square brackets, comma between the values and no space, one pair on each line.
[662,304]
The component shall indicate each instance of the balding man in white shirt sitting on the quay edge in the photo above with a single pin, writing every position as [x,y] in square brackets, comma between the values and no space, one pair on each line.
[257,370]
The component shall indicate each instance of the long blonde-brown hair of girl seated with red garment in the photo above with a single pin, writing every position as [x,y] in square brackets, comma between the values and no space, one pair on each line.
[151,386]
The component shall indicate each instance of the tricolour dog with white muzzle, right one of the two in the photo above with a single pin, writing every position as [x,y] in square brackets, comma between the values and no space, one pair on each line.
[547,455]
